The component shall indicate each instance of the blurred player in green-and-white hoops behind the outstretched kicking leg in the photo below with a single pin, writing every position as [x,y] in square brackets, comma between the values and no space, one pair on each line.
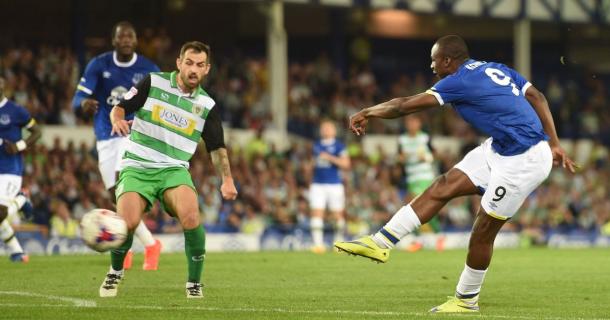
[416,154]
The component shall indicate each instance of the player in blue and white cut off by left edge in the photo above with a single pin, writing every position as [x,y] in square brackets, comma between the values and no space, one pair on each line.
[13,118]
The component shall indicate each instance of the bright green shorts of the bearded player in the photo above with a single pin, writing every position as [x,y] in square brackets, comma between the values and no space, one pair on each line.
[152,183]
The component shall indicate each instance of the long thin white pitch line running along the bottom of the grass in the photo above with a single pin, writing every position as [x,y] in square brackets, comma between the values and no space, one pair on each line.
[292,311]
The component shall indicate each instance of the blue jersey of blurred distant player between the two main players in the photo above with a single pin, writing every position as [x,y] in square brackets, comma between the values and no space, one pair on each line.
[324,171]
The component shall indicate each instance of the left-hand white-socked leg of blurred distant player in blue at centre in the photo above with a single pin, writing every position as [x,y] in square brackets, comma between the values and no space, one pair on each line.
[317,205]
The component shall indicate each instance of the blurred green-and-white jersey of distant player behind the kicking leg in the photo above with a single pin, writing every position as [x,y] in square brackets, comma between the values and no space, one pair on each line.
[418,156]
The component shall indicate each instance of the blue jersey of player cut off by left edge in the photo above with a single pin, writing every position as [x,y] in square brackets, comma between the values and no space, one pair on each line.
[13,118]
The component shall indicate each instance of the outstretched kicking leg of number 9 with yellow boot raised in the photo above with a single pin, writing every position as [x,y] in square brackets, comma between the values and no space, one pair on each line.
[465,179]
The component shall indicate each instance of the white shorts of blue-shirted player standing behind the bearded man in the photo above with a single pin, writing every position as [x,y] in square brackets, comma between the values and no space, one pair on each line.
[110,152]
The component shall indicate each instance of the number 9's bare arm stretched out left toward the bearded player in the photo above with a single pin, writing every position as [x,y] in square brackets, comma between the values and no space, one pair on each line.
[391,109]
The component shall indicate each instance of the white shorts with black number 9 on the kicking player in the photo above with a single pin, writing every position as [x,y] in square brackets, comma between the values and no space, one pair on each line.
[506,181]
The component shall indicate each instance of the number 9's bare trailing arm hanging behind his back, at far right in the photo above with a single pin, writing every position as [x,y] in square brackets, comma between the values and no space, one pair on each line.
[541,106]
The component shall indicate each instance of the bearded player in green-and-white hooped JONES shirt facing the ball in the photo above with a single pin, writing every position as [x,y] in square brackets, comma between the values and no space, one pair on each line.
[172,114]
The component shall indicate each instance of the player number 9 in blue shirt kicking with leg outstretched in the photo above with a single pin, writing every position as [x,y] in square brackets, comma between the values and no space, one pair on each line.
[505,169]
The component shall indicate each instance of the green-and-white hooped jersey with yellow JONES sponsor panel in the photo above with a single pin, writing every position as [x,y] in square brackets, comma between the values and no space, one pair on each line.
[168,123]
